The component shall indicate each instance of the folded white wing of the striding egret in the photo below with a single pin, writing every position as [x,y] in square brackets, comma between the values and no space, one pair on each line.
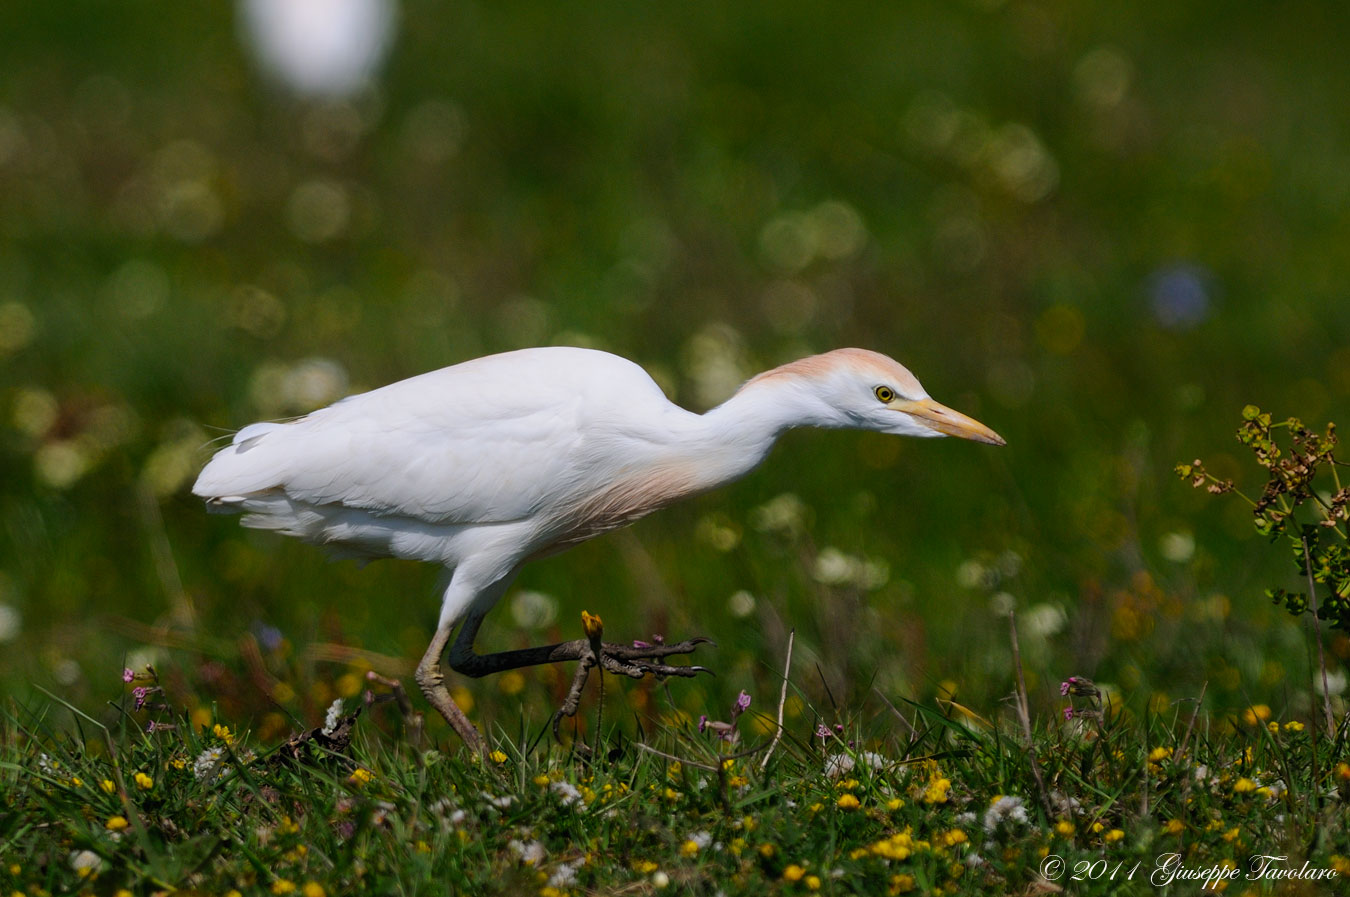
[491,441]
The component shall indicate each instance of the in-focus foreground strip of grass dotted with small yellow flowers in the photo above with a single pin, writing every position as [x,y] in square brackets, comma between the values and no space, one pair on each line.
[939,802]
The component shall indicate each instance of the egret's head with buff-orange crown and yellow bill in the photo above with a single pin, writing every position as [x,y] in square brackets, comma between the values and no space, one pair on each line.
[862,390]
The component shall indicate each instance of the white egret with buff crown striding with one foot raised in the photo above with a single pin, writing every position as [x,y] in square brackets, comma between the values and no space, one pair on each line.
[493,463]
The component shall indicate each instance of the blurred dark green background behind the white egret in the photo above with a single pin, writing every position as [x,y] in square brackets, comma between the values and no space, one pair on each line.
[1101,229]
